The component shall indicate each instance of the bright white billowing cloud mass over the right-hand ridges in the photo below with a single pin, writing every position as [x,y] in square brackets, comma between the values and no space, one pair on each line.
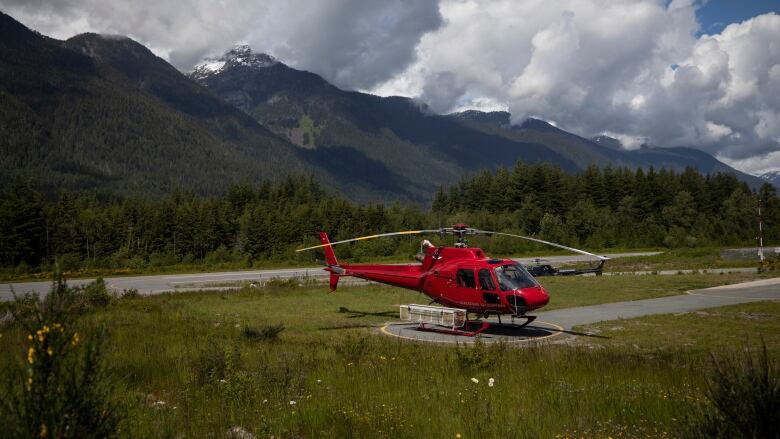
[635,69]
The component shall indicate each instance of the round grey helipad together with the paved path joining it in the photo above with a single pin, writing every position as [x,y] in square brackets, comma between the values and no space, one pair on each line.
[553,325]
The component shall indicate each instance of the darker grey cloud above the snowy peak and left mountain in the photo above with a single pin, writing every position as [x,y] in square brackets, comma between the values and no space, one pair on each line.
[353,43]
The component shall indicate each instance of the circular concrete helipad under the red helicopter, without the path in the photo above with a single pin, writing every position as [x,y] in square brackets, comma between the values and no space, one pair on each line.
[535,332]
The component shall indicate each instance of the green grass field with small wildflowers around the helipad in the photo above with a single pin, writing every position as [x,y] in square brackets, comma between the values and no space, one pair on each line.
[199,364]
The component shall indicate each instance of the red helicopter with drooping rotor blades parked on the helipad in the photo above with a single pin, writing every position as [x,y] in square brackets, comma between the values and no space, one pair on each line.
[459,277]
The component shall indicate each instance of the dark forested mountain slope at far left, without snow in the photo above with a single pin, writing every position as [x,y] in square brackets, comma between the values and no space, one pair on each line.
[103,113]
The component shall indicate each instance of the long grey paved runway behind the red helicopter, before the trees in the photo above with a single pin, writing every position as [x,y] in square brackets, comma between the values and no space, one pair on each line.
[206,281]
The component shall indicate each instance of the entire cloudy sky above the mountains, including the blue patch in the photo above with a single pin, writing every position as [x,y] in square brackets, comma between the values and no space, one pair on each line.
[681,72]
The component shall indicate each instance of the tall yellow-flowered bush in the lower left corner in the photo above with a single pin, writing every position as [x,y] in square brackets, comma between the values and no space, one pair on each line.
[58,388]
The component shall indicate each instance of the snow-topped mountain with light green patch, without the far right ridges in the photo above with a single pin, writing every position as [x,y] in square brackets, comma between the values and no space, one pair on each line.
[420,150]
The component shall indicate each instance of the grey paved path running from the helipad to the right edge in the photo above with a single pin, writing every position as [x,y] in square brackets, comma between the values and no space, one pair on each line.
[766,289]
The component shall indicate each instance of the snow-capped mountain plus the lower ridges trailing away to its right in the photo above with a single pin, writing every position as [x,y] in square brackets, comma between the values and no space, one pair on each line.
[423,149]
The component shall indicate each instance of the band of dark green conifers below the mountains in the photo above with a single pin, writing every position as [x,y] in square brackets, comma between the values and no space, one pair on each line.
[254,224]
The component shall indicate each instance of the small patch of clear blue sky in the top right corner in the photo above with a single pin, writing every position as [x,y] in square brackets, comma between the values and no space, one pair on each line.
[717,14]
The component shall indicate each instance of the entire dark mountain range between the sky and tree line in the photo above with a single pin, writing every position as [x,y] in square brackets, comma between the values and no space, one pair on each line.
[103,113]
